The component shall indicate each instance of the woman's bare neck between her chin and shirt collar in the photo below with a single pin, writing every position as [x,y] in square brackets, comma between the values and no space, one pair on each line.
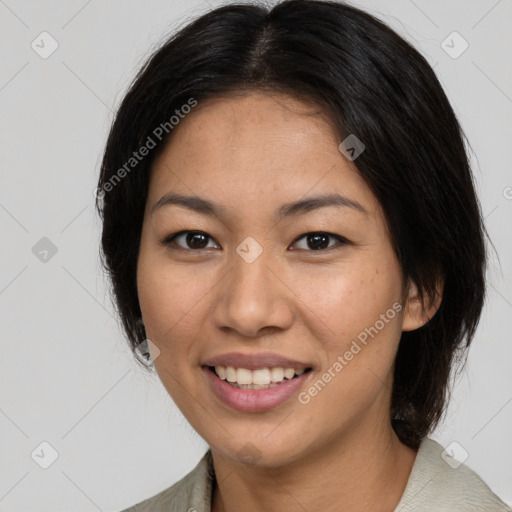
[363,471]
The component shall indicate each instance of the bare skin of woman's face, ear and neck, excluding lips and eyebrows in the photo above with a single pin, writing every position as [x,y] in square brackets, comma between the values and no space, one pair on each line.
[250,154]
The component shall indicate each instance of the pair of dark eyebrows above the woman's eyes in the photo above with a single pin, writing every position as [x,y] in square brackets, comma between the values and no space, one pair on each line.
[207,207]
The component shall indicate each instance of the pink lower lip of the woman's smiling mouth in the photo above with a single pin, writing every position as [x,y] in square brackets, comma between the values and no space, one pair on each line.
[254,400]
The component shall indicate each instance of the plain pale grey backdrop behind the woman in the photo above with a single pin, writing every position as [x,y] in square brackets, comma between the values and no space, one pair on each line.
[68,378]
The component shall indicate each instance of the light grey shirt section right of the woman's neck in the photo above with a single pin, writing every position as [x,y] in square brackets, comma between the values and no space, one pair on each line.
[438,482]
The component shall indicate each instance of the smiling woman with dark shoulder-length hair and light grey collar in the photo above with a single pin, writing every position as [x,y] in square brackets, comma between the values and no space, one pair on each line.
[287,205]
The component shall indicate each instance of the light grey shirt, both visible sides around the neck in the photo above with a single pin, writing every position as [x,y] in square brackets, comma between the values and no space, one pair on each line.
[435,485]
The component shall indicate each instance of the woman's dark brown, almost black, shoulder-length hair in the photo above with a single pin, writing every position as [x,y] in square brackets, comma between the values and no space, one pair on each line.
[373,84]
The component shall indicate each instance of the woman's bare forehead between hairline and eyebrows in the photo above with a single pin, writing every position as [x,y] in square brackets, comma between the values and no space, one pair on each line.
[259,148]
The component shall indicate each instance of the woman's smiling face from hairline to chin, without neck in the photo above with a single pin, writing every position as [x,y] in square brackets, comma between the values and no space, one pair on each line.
[320,285]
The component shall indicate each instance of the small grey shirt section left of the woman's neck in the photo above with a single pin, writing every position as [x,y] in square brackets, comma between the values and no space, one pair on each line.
[191,493]
